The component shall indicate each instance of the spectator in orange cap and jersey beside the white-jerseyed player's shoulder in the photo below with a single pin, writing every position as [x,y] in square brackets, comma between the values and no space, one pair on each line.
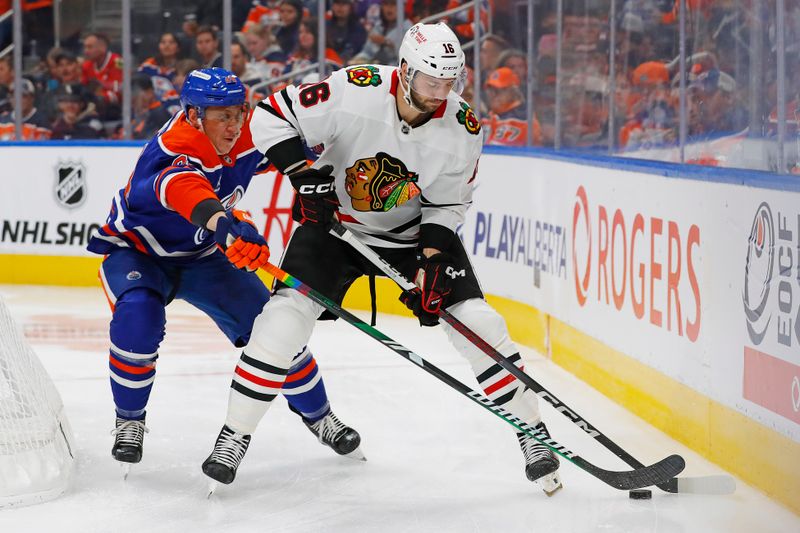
[507,123]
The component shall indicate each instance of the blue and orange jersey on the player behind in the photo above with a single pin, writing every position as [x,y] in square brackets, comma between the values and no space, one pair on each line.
[177,169]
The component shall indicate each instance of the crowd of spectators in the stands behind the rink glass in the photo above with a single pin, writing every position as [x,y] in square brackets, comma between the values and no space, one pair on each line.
[77,93]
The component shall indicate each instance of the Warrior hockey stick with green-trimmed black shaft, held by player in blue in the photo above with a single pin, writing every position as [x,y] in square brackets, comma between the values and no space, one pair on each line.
[625,480]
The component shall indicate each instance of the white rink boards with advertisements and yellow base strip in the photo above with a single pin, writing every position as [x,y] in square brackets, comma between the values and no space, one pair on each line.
[674,291]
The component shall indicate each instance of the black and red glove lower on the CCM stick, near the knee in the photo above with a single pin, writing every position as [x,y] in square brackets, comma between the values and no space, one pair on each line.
[434,281]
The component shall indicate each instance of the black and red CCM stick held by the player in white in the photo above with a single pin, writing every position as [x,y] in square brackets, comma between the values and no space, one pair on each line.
[719,484]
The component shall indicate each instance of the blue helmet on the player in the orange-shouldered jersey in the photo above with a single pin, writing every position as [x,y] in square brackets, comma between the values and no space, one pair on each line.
[211,87]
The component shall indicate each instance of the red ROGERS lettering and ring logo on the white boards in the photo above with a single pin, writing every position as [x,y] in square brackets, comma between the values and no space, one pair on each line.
[655,275]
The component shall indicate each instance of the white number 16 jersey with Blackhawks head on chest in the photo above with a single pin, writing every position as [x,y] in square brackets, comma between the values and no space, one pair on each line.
[390,178]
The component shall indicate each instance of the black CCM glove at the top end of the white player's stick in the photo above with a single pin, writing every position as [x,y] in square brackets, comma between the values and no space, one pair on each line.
[315,202]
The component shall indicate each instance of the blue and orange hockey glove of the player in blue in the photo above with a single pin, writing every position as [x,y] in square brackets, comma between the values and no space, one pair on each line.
[243,245]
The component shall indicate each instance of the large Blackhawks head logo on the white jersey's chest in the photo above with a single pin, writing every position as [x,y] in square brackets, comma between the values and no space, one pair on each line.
[380,183]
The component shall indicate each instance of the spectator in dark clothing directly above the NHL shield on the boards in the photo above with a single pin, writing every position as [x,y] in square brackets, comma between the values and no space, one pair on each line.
[77,117]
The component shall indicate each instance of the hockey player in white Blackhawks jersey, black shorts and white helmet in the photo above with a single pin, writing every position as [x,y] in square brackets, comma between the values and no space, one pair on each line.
[399,155]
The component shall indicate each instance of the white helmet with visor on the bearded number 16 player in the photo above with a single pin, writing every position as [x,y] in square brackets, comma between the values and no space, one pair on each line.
[433,50]
